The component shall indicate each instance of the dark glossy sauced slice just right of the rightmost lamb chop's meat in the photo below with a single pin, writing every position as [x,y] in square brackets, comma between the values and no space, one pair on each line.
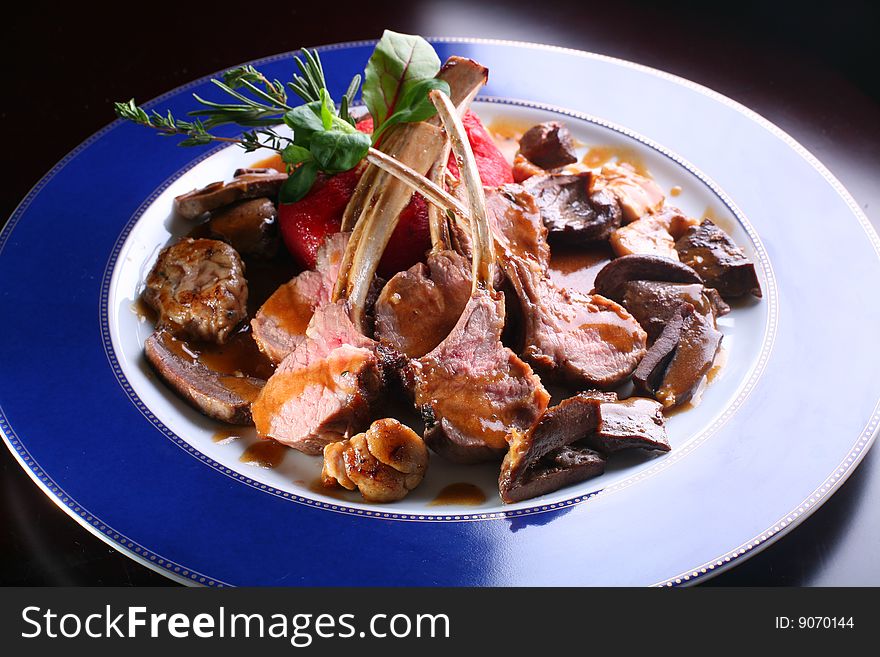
[675,365]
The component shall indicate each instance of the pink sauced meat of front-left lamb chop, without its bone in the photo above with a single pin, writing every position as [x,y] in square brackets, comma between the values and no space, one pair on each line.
[323,391]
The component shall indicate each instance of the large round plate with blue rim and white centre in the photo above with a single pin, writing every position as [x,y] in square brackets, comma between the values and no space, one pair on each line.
[770,441]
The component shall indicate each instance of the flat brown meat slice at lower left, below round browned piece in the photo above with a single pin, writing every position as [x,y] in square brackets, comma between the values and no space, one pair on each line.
[223,397]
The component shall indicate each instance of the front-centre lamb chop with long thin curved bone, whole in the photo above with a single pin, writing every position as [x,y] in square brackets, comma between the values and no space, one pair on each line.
[471,389]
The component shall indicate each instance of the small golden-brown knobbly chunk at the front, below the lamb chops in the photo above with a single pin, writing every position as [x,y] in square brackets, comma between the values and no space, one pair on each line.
[385,463]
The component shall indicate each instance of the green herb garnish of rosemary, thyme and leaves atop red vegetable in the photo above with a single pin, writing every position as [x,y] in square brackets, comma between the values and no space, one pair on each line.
[399,76]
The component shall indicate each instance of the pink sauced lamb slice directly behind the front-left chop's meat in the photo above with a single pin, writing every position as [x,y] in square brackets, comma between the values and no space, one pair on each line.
[280,324]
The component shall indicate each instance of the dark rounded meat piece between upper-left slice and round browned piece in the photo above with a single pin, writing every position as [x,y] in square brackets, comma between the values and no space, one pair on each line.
[250,227]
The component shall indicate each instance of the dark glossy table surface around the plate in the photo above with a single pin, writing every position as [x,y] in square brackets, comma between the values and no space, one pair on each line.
[809,71]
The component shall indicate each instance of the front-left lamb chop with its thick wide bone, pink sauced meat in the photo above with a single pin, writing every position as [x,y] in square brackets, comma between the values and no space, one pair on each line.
[324,390]
